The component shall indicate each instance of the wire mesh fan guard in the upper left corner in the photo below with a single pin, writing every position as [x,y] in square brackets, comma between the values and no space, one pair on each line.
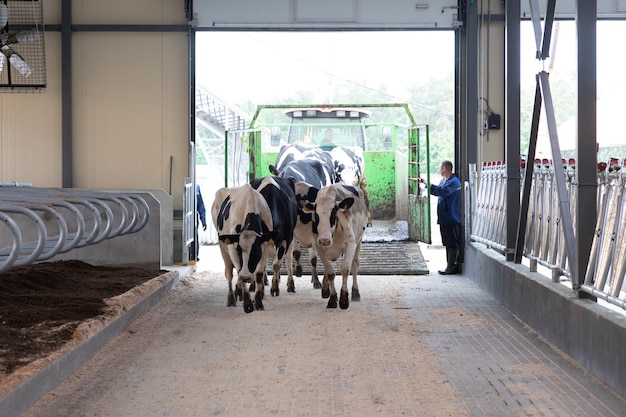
[22,46]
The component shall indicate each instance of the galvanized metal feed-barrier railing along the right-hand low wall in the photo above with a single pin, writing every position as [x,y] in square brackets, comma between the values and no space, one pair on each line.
[544,236]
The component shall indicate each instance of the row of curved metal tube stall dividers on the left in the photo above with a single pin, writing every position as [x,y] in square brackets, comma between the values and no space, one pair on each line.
[44,222]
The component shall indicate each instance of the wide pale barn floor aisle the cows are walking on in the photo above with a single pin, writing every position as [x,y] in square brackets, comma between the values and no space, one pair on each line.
[423,345]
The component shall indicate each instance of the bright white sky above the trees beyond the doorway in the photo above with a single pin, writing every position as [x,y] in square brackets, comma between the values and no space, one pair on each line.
[255,65]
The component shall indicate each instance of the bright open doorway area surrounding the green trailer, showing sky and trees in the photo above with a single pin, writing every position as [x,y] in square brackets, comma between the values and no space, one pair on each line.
[242,70]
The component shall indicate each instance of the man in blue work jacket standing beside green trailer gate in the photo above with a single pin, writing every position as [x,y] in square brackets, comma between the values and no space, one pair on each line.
[449,215]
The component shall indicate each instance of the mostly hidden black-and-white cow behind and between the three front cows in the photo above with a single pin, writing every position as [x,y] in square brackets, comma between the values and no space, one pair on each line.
[313,168]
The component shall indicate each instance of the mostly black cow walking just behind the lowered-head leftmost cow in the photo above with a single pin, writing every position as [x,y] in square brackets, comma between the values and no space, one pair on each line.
[279,193]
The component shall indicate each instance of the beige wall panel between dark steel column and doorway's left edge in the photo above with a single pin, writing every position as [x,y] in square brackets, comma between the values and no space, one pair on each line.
[130,109]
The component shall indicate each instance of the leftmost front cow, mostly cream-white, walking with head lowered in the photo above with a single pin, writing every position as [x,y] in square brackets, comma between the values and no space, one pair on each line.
[244,224]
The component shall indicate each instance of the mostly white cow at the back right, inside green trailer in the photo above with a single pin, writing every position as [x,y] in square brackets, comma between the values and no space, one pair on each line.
[349,166]
